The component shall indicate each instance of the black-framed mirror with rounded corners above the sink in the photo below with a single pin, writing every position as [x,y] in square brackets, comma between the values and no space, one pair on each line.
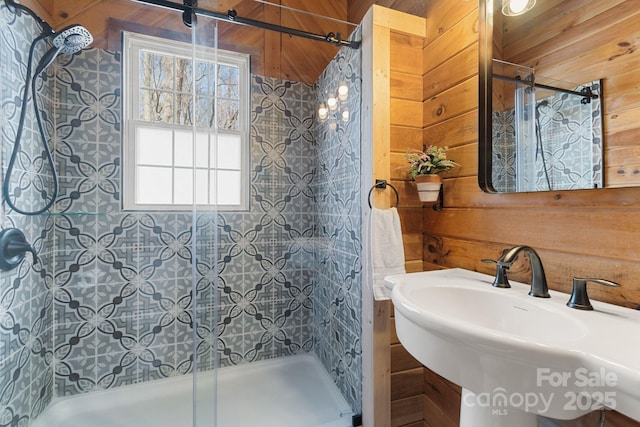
[559,96]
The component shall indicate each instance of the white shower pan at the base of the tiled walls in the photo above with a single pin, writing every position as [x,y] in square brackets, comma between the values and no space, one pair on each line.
[293,391]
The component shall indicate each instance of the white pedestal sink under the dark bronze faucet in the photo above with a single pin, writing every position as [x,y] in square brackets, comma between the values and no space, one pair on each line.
[516,355]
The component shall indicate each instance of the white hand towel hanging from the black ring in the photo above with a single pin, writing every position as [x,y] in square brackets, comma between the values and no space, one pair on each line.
[387,250]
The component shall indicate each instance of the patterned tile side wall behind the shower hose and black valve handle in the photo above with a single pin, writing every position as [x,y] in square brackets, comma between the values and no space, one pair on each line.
[25,302]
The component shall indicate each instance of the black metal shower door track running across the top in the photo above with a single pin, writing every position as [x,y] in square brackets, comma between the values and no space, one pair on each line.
[232,16]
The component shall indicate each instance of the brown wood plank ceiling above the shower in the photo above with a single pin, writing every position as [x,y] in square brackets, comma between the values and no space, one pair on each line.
[273,54]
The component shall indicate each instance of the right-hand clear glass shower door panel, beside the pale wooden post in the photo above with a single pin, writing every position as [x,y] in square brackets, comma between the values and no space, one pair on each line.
[277,265]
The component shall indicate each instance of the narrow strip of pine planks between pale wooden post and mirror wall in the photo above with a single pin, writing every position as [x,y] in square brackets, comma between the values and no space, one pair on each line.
[407,374]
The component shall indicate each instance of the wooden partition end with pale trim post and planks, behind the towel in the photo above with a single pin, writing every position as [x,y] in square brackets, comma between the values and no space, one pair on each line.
[395,97]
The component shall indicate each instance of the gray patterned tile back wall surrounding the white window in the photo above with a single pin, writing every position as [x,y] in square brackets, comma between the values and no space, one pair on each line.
[122,288]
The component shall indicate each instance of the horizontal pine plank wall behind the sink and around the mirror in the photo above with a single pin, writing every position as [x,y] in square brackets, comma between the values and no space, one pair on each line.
[581,233]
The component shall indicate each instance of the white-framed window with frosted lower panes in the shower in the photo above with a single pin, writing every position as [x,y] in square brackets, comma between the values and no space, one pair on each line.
[186,122]
